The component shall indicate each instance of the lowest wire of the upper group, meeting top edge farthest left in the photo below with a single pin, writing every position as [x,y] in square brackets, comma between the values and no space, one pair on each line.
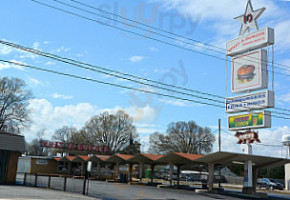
[139,34]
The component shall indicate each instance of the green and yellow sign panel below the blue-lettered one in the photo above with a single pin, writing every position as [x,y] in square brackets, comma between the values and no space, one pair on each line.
[250,121]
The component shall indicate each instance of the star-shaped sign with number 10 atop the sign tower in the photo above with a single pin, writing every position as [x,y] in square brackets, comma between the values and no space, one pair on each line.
[249,19]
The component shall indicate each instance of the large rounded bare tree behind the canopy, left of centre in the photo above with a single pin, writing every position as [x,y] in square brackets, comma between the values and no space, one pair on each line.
[114,131]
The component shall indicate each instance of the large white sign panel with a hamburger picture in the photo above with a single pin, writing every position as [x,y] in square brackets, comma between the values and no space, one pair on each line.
[249,71]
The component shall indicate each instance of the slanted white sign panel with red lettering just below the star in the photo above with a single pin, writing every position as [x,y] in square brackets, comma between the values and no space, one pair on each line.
[255,40]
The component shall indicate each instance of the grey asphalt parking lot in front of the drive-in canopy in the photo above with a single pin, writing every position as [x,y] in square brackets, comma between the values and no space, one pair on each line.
[111,191]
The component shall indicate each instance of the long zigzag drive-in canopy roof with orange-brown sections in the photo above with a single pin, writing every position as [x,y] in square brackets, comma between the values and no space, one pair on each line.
[219,158]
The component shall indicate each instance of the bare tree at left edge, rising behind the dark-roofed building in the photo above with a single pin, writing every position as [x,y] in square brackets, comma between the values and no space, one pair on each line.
[13,105]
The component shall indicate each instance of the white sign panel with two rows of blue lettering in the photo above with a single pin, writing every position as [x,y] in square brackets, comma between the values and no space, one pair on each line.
[255,101]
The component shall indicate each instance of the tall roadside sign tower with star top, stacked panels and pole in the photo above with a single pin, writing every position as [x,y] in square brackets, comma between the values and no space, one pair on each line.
[249,73]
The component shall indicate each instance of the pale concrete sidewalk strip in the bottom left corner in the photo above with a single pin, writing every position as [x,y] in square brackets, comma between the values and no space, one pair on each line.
[9,192]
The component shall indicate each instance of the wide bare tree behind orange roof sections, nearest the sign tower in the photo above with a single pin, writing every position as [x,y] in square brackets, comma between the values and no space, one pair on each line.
[186,137]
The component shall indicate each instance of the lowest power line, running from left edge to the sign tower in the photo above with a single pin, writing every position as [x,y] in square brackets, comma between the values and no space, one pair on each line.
[106,83]
